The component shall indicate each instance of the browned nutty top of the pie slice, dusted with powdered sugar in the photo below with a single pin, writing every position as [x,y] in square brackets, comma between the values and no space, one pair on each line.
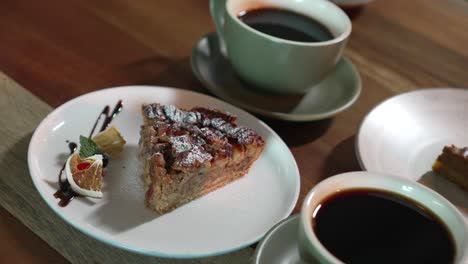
[194,137]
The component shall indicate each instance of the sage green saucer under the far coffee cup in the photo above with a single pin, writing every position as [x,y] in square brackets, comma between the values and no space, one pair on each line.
[333,95]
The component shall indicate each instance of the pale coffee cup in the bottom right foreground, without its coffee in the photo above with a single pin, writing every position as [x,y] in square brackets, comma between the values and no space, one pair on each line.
[314,252]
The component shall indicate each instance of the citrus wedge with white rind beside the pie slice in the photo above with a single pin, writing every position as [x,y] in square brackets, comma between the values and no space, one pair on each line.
[85,175]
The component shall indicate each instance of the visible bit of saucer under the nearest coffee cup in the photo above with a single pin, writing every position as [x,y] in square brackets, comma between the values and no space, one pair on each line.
[280,244]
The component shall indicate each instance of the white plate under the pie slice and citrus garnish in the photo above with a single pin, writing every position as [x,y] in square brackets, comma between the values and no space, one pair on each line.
[229,218]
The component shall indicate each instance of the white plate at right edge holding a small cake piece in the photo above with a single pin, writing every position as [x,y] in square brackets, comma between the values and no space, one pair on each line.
[405,134]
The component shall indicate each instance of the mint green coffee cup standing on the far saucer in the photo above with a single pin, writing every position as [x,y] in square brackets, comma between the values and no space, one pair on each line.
[275,64]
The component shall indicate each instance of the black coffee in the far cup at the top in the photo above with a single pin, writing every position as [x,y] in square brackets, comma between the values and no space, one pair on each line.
[286,24]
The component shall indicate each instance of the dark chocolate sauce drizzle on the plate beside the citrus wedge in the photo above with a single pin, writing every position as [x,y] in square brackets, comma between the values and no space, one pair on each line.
[65,192]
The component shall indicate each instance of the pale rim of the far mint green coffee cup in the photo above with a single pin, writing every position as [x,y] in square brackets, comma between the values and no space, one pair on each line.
[336,39]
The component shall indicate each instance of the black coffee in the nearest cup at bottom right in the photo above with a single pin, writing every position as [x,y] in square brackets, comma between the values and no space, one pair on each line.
[374,226]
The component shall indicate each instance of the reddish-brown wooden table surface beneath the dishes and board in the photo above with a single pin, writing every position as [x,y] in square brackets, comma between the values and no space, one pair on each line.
[61,49]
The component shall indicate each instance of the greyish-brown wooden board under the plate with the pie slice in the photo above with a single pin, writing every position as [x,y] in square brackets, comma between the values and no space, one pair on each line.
[20,113]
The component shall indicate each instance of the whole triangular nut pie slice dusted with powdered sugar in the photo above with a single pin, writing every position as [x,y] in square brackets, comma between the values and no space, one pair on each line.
[189,153]
